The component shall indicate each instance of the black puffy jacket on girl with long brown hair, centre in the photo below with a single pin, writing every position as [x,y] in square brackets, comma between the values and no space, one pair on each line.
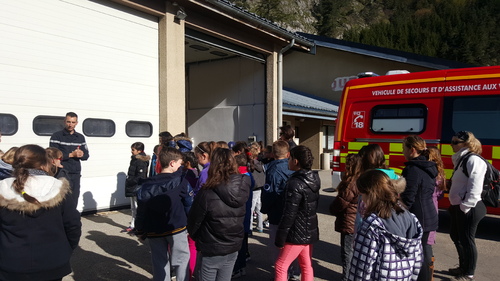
[215,221]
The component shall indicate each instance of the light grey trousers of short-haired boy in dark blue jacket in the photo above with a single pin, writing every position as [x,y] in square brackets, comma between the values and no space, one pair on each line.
[172,248]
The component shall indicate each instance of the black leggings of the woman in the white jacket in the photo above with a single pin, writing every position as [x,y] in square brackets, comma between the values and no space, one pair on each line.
[463,233]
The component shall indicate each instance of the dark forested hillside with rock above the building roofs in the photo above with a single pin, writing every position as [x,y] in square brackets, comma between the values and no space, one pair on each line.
[461,30]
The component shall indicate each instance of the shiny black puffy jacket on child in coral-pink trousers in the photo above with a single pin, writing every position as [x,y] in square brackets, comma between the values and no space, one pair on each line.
[299,223]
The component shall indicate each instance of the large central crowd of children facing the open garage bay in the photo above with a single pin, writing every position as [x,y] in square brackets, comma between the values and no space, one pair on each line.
[198,223]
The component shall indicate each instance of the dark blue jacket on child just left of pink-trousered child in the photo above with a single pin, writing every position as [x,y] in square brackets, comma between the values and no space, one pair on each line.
[273,193]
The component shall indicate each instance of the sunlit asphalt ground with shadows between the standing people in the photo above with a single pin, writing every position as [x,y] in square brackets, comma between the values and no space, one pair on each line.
[107,253]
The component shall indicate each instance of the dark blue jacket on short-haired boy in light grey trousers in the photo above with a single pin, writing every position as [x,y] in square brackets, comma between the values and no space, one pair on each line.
[162,203]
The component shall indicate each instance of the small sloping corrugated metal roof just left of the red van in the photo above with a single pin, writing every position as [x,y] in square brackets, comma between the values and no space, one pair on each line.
[298,103]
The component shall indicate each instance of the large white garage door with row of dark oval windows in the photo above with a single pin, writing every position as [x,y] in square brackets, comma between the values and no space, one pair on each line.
[96,58]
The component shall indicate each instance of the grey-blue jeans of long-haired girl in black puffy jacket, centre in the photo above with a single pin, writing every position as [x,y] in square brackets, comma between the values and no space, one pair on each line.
[216,268]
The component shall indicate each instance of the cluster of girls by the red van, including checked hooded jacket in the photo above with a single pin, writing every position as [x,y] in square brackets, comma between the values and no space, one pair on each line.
[387,222]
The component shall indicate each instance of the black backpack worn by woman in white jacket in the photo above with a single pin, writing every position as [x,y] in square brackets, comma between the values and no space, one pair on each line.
[491,184]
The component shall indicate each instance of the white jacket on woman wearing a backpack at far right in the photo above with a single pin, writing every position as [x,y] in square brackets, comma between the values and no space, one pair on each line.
[466,191]
